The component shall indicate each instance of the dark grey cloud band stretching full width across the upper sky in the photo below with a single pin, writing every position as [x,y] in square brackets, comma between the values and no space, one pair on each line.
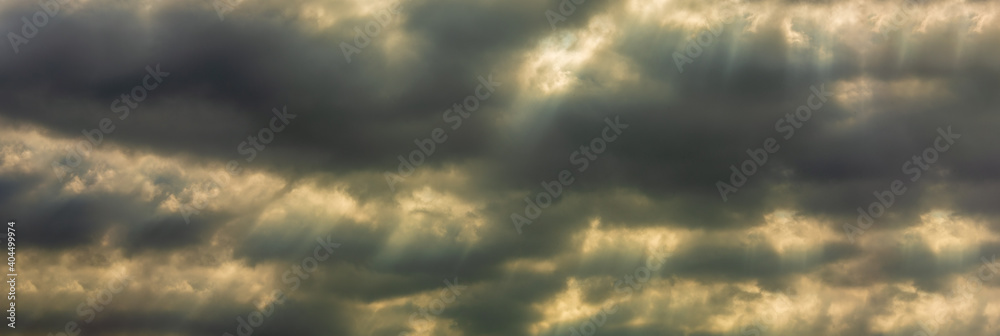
[225,78]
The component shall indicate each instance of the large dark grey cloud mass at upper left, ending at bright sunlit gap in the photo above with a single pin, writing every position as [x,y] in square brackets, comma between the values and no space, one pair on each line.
[225,75]
